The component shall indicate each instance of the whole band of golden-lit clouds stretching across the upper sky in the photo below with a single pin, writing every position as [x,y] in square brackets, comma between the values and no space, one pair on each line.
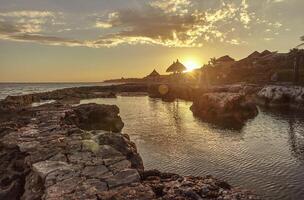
[171,23]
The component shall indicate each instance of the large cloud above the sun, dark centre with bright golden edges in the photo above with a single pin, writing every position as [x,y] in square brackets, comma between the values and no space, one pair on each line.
[176,23]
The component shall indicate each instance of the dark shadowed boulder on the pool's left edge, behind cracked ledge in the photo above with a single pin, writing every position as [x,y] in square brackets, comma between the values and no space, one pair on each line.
[96,117]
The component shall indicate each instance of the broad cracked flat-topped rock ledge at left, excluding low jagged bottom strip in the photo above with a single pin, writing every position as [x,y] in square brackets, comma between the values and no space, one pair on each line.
[49,158]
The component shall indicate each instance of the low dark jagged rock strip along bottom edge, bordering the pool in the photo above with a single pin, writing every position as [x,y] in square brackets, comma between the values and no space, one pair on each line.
[172,186]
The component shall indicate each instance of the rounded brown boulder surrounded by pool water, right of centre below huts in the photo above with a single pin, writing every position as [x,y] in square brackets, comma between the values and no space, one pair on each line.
[225,108]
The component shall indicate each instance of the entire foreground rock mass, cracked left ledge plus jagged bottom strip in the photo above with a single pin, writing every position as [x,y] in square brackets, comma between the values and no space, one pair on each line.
[49,156]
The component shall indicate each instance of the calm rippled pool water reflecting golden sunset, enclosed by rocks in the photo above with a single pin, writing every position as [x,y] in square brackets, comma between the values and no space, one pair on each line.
[267,155]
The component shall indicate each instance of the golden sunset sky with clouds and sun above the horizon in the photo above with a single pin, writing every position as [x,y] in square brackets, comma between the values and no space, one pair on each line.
[95,40]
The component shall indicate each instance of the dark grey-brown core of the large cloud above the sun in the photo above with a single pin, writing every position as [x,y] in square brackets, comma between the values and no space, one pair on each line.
[152,23]
